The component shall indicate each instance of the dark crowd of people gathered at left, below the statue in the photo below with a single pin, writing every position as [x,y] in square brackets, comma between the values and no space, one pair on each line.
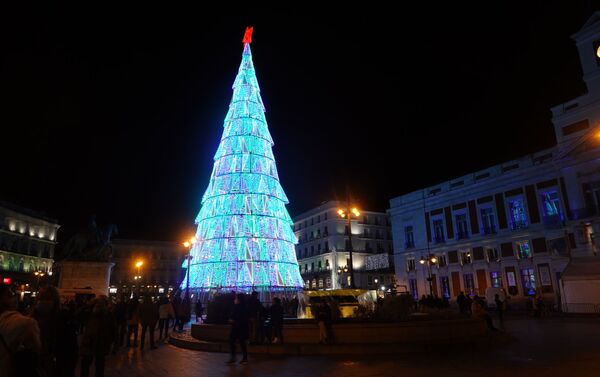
[48,337]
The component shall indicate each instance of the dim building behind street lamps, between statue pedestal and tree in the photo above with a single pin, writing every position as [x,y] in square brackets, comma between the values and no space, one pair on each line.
[160,272]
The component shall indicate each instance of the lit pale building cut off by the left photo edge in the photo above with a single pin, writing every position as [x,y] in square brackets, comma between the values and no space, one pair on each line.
[27,242]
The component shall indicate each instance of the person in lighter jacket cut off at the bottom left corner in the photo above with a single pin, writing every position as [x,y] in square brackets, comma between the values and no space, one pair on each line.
[20,342]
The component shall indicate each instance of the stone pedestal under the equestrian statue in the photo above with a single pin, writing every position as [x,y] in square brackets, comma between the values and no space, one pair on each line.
[81,277]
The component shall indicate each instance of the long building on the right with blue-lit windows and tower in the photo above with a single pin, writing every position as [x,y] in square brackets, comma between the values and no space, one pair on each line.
[515,225]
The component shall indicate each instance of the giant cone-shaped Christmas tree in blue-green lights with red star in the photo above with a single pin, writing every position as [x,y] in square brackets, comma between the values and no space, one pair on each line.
[245,238]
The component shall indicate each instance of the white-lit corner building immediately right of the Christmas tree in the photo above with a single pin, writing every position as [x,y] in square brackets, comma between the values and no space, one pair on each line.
[323,244]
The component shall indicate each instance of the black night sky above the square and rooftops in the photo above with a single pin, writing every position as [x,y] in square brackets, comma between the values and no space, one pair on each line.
[118,111]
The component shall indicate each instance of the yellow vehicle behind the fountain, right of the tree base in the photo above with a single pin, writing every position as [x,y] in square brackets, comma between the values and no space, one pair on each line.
[343,300]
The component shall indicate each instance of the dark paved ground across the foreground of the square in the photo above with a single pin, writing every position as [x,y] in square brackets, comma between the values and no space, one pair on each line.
[546,347]
